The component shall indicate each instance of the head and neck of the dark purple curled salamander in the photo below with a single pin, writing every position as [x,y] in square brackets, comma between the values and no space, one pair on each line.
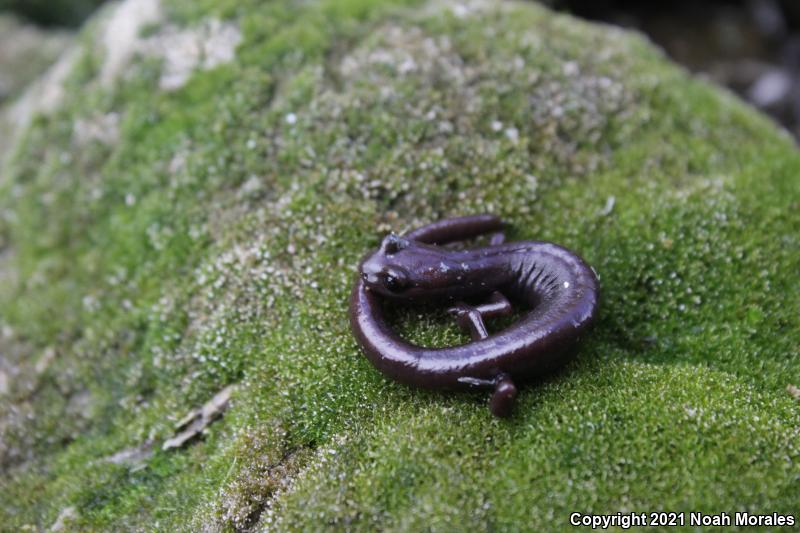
[407,269]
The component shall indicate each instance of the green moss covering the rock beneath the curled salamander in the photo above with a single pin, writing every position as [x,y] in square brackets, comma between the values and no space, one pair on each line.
[210,238]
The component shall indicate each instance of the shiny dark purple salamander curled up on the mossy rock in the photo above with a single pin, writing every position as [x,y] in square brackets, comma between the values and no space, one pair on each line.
[558,287]
